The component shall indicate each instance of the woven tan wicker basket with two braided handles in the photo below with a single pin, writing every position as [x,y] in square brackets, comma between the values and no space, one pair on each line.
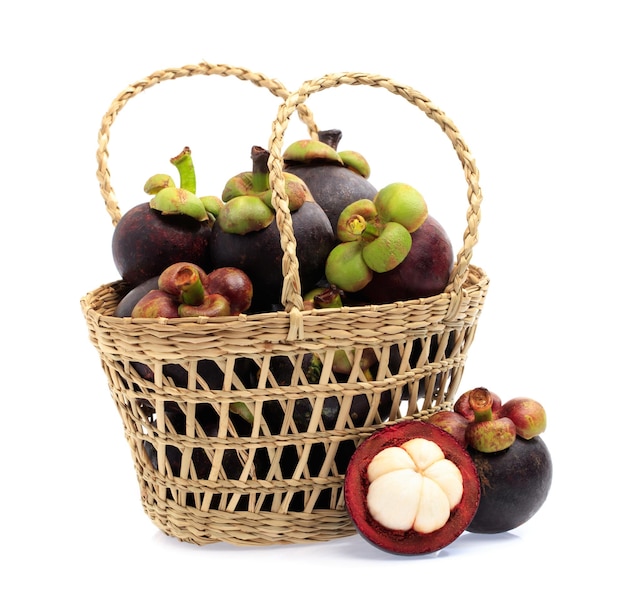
[205,475]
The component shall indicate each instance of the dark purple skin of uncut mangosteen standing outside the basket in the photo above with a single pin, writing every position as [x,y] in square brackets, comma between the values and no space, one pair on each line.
[514,485]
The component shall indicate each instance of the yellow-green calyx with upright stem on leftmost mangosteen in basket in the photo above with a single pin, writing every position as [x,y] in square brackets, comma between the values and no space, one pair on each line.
[169,199]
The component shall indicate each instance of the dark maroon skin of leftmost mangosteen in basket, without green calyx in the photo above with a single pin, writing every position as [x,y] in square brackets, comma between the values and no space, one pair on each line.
[145,242]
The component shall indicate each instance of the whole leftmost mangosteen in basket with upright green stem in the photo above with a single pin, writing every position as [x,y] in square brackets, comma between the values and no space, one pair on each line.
[173,226]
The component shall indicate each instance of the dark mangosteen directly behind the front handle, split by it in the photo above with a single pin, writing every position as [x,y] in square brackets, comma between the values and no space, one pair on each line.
[246,234]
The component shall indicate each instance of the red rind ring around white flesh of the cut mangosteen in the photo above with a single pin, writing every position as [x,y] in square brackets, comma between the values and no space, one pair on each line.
[410,542]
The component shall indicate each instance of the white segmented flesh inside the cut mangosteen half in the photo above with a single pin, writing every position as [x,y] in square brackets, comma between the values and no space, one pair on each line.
[413,487]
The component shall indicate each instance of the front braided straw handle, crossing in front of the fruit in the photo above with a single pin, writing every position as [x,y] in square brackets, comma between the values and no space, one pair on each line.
[291,296]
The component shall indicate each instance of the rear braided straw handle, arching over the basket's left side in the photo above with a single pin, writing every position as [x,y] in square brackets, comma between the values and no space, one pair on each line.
[204,68]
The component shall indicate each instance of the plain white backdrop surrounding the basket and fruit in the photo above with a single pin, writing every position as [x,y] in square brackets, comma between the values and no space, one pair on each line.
[536,89]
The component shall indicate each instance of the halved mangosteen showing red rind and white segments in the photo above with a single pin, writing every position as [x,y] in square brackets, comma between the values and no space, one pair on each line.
[411,488]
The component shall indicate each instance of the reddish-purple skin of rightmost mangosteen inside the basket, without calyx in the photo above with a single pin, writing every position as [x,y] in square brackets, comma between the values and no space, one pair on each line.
[423,273]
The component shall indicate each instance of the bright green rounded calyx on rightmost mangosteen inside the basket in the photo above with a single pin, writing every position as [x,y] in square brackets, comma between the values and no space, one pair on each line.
[380,230]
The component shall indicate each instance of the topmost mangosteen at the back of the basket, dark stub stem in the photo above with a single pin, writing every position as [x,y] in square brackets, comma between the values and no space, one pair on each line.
[335,179]
